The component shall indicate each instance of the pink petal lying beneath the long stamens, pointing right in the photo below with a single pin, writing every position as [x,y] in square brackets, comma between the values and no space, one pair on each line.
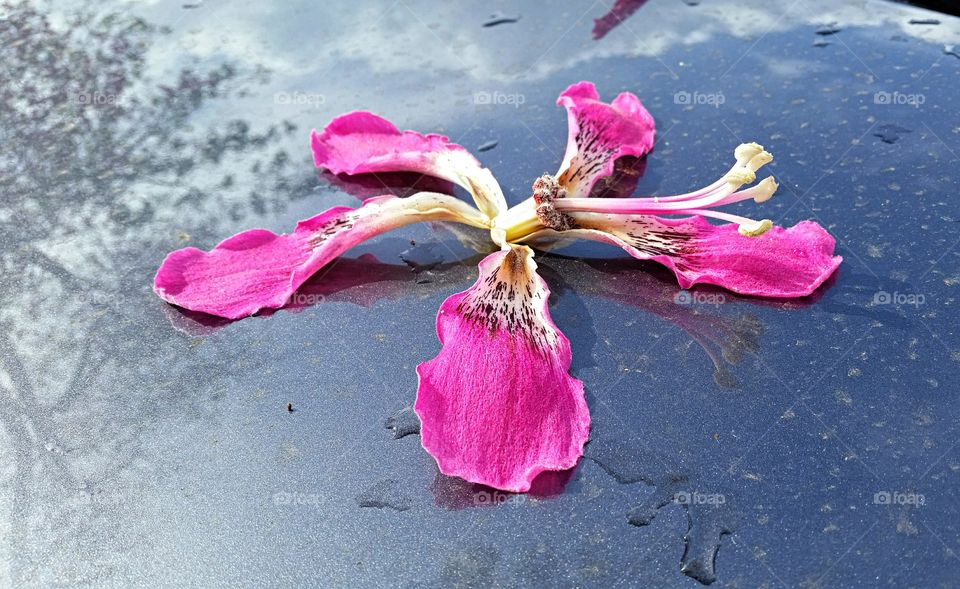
[780,263]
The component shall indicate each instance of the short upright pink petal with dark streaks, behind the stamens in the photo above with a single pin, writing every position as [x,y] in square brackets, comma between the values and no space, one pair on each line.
[598,134]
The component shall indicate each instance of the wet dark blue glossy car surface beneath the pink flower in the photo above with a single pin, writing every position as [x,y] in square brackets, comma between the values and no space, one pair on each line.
[813,441]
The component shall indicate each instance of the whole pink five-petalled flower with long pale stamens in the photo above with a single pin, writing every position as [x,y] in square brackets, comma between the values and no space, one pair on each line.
[497,404]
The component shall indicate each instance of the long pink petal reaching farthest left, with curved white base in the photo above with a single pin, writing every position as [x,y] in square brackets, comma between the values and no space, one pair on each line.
[259,269]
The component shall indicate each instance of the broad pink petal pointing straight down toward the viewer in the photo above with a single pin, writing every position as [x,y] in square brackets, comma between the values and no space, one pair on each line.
[497,405]
